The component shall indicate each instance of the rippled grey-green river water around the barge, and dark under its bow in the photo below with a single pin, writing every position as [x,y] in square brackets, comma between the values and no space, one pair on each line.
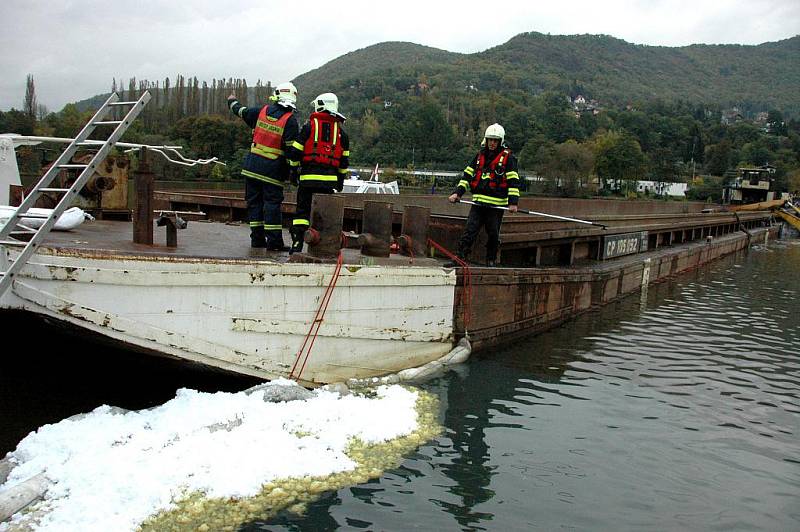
[678,410]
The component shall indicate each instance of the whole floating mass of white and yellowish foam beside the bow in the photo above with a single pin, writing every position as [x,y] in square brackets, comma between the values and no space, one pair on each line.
[213,461]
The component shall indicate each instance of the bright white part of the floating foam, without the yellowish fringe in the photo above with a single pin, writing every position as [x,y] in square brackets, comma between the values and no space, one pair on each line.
[111,470]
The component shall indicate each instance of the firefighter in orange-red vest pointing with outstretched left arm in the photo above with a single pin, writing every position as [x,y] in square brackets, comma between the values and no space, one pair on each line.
[266,167]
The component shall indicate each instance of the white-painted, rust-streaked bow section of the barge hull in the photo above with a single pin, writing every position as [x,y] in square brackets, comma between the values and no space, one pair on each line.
[249,317]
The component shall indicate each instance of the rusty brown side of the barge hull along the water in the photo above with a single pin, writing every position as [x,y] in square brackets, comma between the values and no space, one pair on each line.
[508,303]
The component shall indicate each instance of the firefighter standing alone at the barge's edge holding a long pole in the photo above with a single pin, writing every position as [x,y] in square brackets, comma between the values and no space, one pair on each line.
[493,180]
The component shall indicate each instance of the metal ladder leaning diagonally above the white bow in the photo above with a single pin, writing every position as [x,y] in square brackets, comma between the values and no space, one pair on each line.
[14,227]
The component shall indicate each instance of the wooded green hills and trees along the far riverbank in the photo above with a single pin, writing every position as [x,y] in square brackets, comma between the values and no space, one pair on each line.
[585,114]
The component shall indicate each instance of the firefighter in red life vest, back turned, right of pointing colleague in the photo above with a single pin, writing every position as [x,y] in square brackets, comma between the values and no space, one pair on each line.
[323,150]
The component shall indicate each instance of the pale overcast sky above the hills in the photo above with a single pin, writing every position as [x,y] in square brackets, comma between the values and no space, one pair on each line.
[74,48]
